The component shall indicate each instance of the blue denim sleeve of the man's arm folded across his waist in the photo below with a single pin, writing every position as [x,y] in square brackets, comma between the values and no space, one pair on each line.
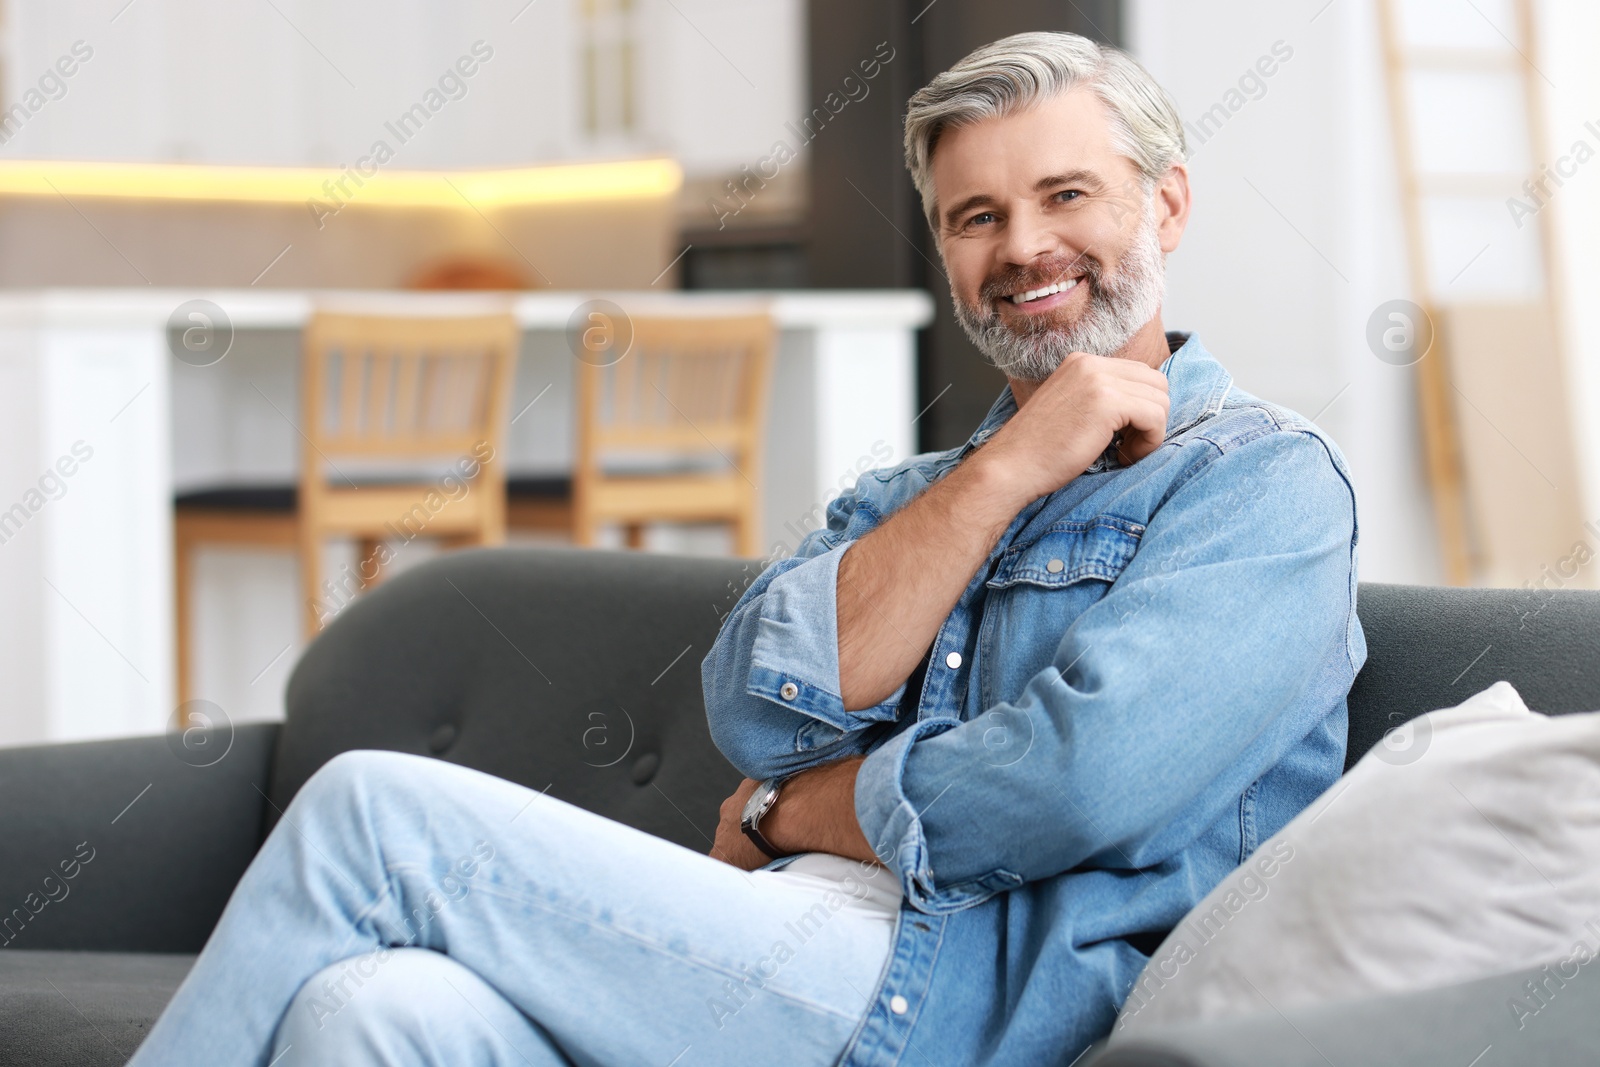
[1228,637]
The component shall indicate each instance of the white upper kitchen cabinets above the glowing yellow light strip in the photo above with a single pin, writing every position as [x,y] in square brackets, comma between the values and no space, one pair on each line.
[242,84]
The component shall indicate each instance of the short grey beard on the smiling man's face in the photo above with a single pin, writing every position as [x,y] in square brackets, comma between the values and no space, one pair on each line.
[1121,305]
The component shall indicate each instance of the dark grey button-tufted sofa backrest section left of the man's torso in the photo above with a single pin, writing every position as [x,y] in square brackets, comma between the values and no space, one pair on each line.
[564,669]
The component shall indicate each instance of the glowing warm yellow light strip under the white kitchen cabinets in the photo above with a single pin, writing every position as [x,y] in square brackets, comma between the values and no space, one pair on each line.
[631,180]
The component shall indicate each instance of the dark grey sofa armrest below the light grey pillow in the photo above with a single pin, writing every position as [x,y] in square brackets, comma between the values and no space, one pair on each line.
[1438,1028]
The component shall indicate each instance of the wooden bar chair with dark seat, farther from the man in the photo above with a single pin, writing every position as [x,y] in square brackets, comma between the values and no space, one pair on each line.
[380,398]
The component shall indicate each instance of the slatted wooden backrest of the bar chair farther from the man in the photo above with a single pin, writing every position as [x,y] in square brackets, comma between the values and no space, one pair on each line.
[404,388]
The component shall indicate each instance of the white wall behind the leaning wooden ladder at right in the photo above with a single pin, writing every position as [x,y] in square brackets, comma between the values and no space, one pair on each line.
[1298,238]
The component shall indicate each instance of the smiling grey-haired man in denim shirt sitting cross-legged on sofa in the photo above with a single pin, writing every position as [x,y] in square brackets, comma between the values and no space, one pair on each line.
[1006,719]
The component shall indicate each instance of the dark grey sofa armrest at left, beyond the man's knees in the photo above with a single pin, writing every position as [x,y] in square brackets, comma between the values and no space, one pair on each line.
[126,845]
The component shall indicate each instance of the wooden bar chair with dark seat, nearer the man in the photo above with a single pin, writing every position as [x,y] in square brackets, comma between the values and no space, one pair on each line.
[687,390]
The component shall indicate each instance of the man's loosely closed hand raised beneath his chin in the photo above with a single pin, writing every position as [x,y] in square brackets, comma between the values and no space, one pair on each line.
[1073,417]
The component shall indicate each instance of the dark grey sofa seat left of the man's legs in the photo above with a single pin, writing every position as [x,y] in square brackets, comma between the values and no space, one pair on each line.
[82,1009]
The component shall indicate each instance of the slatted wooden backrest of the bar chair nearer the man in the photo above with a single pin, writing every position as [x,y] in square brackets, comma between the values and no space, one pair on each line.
[682,386]
